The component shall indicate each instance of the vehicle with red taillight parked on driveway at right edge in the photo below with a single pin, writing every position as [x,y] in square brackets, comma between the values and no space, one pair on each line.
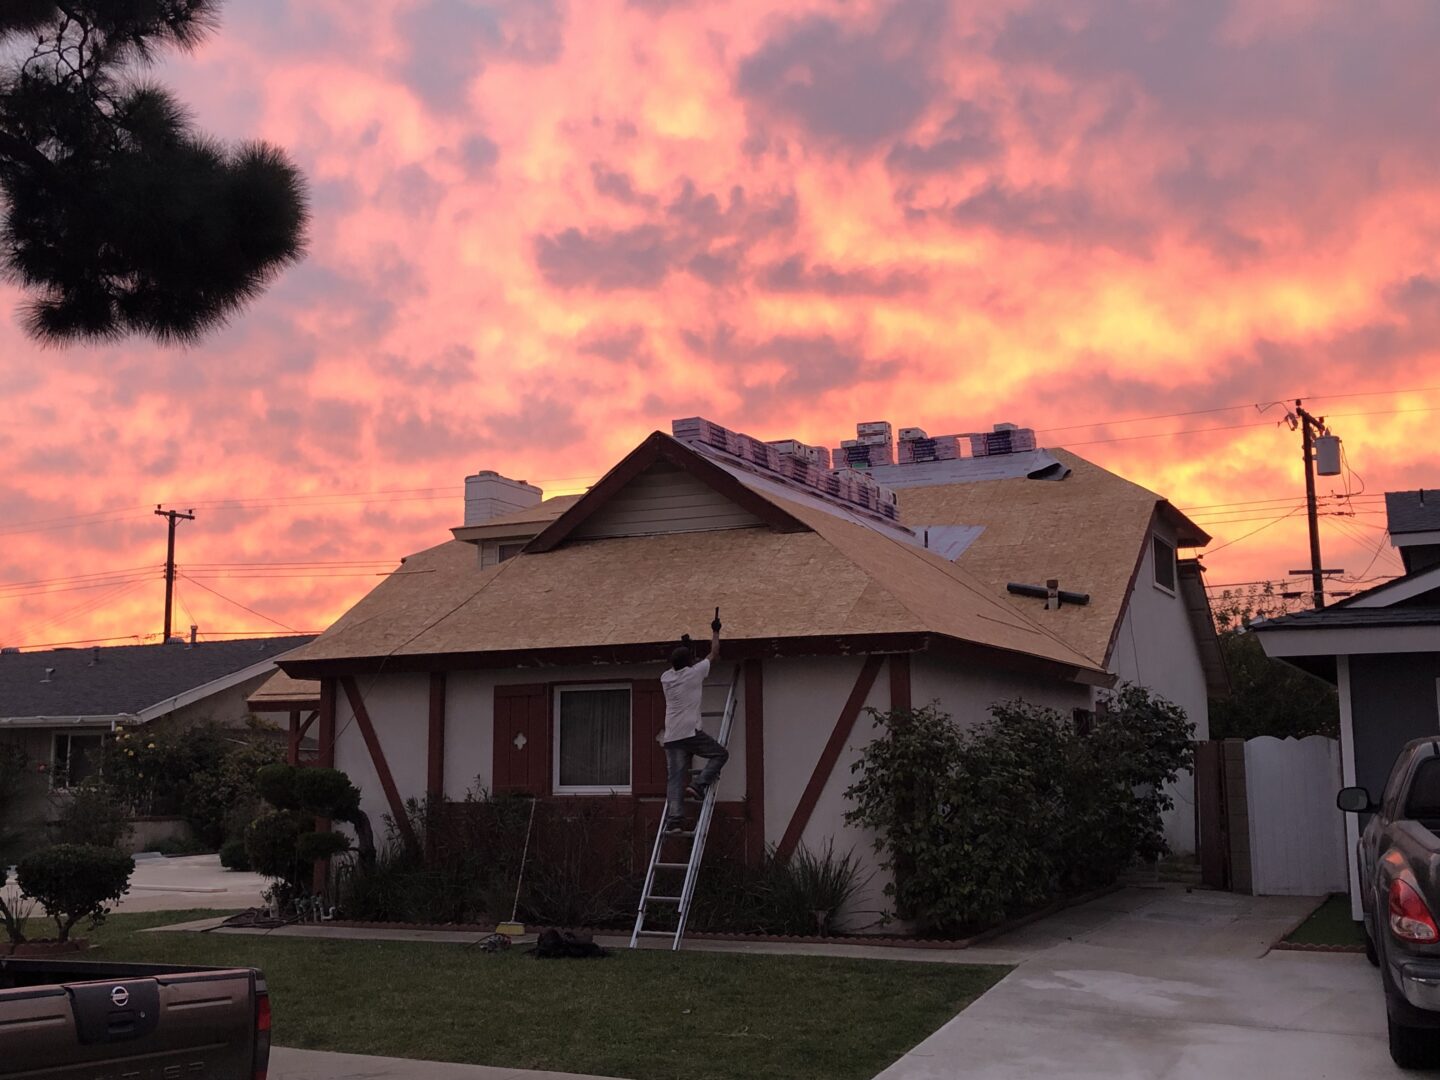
[1399,860]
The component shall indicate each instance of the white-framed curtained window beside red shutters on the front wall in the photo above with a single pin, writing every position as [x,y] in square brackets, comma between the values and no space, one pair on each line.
[593,739]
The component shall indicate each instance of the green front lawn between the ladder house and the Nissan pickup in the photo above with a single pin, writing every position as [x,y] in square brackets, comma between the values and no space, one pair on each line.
[646,1016]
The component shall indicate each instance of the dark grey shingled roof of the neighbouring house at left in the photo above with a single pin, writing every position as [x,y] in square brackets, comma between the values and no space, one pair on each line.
[130,680]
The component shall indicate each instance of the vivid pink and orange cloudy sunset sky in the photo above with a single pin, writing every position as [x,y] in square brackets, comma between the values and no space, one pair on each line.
[545,230]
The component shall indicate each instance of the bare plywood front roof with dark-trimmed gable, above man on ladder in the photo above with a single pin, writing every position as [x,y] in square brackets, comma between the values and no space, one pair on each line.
[817,572]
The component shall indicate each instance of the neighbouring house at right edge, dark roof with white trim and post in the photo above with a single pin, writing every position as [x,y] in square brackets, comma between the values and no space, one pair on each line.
[1382,650]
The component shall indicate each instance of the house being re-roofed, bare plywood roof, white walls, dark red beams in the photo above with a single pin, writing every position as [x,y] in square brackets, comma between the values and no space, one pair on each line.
[525,654]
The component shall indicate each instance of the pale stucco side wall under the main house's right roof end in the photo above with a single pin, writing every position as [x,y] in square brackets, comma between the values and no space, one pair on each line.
[1157,649]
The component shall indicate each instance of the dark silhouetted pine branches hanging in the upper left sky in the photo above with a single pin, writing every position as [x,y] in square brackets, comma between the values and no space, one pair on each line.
[122,218]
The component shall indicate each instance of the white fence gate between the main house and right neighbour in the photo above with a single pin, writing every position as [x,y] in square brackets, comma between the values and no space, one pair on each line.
[1297,834]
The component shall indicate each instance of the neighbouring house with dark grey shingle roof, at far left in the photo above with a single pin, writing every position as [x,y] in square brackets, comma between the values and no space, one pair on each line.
[58,705]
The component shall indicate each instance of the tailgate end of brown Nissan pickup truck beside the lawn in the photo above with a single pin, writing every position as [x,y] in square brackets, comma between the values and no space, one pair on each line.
[132,1022]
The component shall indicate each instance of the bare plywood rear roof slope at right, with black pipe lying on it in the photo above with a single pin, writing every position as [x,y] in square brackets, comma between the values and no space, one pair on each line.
[1088,531]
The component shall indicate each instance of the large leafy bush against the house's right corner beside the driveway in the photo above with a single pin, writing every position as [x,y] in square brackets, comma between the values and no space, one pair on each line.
[980,824]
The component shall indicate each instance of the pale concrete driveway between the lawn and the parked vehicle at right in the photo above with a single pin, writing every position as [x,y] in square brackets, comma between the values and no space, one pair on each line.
[1164,986]
